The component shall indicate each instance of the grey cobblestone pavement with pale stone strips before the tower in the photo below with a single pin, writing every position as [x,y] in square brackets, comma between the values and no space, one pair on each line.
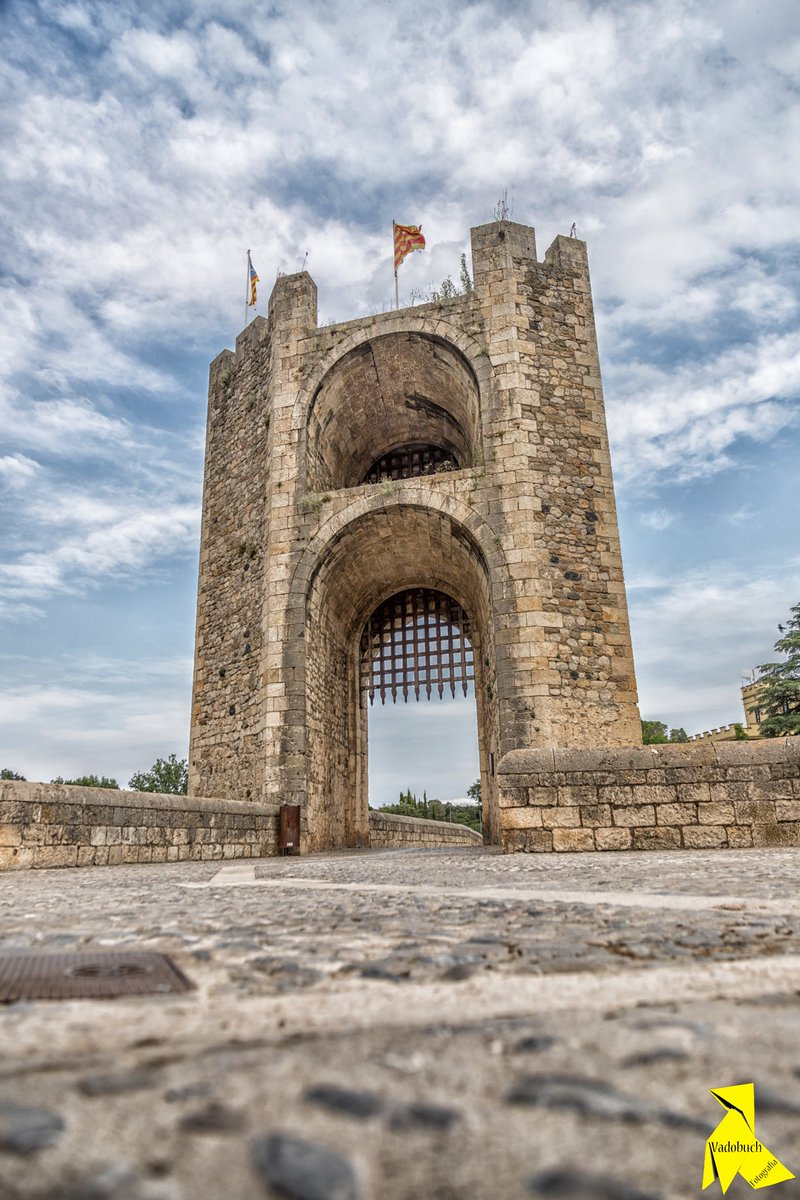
[416,1024]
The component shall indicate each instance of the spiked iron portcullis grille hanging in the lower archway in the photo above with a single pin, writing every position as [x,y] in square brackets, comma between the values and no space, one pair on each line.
[419,639]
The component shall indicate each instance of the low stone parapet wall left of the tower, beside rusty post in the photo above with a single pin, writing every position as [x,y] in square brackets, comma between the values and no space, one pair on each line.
[53,825]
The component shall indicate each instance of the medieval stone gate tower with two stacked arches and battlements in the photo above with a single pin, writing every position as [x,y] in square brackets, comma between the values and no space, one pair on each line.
[419,496]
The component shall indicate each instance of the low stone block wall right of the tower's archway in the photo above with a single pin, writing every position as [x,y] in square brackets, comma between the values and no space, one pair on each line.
[669,797]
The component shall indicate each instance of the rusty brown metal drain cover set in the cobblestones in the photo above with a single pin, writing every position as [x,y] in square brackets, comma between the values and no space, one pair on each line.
[88,976]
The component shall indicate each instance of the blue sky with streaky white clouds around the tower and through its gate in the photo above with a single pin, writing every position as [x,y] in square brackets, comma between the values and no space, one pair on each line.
[148,146]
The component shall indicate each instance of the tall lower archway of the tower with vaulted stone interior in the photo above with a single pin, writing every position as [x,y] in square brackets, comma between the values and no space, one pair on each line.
[387,556]
